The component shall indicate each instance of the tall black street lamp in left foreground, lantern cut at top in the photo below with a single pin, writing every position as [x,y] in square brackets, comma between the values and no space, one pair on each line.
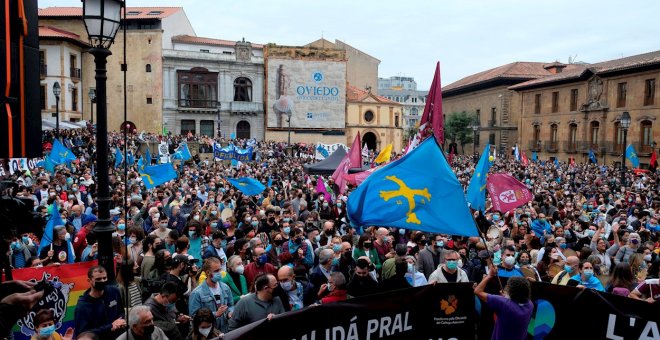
[102,20]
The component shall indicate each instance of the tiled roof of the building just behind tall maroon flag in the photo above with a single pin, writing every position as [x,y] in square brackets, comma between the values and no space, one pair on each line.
[516,70]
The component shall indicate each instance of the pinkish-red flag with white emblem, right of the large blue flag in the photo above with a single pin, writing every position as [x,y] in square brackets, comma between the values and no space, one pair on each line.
[506,192]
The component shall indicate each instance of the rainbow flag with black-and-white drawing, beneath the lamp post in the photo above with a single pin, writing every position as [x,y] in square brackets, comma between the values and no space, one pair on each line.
[69,281]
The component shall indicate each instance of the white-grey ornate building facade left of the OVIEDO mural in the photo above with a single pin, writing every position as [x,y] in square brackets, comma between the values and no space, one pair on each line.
[213,87]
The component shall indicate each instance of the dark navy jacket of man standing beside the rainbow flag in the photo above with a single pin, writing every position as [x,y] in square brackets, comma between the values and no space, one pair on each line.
[97,314]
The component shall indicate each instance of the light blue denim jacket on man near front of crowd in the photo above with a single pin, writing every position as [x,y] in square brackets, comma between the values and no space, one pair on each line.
[201,297]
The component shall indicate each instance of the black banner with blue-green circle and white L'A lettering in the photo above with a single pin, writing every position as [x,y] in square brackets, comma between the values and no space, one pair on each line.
[562,312]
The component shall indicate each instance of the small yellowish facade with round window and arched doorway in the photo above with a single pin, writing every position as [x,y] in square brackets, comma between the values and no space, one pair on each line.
[377,118]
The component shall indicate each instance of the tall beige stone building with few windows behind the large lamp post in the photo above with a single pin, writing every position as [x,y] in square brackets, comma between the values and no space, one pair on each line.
[149,32]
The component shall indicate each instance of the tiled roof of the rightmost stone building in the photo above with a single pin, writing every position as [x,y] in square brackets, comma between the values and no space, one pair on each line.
[579,70]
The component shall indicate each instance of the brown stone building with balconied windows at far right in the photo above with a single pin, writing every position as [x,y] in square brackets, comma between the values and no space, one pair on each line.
[569,113]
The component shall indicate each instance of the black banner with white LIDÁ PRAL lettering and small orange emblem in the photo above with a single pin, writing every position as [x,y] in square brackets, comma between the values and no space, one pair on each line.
[442,311]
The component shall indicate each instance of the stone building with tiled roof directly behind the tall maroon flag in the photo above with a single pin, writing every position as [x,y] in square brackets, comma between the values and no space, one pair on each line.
[487,96]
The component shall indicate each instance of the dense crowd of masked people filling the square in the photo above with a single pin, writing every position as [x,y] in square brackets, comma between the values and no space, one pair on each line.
[196,258]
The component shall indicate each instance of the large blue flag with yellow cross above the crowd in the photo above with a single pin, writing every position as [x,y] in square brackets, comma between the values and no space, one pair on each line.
[418,191]
